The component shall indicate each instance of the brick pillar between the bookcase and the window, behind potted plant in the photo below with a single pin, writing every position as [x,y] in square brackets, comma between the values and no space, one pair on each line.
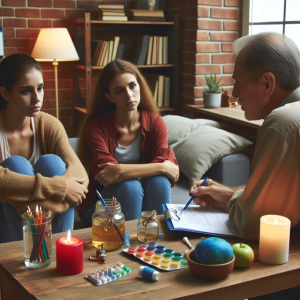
[208,28]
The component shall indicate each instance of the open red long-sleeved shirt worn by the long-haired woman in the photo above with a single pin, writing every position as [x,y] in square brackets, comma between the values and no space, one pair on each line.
[102,135]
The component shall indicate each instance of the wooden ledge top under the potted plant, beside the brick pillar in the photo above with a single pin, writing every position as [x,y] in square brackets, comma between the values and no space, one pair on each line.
[234,114]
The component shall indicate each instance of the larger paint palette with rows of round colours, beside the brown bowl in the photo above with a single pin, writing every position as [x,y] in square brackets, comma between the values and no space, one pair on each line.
[159,257]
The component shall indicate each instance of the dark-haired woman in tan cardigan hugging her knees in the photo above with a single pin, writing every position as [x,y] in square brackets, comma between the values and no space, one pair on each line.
[37,164]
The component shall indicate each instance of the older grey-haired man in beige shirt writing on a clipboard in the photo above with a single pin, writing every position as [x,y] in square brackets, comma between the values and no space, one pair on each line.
[267,71]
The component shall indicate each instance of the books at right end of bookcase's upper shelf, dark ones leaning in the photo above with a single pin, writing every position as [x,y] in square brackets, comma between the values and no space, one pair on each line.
[150,50]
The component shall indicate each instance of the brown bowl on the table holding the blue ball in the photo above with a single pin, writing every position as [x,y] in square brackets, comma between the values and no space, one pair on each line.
[209,271]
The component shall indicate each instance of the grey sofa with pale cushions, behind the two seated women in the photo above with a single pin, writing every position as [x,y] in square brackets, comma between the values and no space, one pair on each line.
[202,150]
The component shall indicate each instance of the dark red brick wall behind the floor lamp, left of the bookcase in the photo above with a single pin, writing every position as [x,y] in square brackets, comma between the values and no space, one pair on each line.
[21,21]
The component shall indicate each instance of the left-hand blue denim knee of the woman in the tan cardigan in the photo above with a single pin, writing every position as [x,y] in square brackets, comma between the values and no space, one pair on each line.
[18,164]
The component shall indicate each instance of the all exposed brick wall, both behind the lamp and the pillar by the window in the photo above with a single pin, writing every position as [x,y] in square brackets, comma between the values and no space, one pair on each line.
[208,28]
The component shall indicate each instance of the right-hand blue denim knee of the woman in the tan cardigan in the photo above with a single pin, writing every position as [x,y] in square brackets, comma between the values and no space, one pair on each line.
[50,165]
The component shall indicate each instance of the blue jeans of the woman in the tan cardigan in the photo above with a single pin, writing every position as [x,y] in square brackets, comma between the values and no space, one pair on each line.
[50,165]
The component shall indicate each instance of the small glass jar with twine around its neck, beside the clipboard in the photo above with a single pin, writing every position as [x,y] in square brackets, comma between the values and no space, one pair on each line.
[147,227]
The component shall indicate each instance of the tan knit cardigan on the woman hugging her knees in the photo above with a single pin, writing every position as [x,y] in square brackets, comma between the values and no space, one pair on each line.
[22,190]
